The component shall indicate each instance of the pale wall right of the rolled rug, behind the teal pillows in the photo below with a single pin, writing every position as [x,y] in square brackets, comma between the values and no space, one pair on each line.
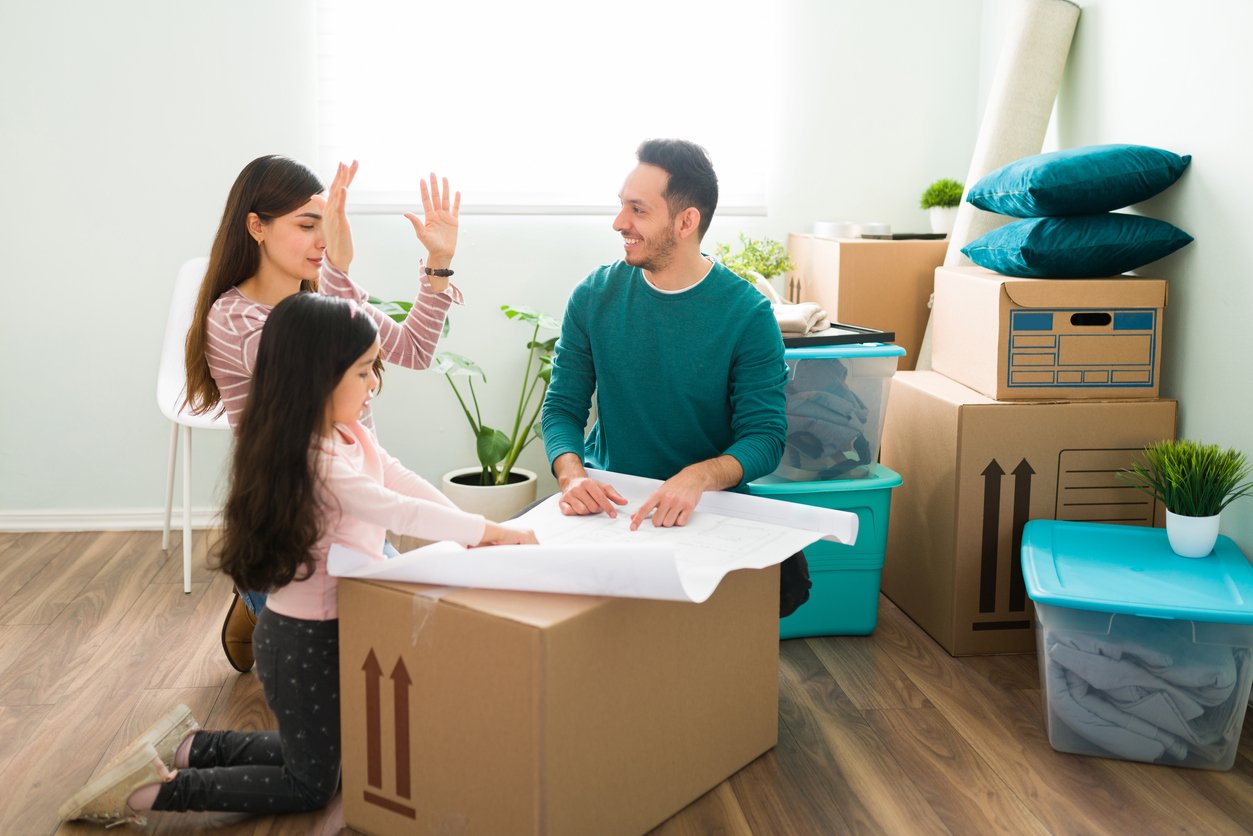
[1177,76]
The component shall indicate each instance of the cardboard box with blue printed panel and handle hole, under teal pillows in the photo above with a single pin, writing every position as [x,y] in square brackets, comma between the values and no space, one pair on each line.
[1048,338]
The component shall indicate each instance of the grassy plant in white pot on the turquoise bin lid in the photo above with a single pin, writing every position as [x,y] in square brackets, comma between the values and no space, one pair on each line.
[1196,482]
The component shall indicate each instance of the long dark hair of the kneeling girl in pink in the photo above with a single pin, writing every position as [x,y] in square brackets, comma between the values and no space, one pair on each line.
[273,517]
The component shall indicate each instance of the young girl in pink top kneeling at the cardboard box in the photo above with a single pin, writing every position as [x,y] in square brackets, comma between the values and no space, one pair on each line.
[306,474]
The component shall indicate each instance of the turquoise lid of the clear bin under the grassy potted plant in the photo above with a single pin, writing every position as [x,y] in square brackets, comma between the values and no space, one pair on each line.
[1132,570]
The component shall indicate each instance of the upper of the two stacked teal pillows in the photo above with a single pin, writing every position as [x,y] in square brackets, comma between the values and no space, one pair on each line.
[1078,181]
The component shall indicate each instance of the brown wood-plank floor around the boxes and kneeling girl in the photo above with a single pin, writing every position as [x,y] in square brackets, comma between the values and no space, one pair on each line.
[878,735]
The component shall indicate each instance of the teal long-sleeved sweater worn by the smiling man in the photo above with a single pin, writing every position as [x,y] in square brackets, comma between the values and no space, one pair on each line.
[678,378]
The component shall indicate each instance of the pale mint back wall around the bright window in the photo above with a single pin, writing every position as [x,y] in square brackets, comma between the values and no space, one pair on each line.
[125,125]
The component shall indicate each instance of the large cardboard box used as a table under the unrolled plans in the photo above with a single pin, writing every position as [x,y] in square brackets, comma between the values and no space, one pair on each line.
[474,711]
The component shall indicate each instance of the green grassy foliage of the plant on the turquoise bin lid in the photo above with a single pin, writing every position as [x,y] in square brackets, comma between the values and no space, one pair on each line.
[1190,478]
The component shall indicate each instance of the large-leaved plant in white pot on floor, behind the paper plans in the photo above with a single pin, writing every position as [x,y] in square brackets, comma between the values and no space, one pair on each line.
[496,487]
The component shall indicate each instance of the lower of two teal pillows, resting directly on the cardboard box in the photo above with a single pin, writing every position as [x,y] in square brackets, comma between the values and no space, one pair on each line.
[1079,248]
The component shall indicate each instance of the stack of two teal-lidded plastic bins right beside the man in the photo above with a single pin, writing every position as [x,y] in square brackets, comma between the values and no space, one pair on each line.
[838,397]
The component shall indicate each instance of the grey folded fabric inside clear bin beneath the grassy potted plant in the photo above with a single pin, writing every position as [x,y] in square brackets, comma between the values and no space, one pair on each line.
[1146,692]
